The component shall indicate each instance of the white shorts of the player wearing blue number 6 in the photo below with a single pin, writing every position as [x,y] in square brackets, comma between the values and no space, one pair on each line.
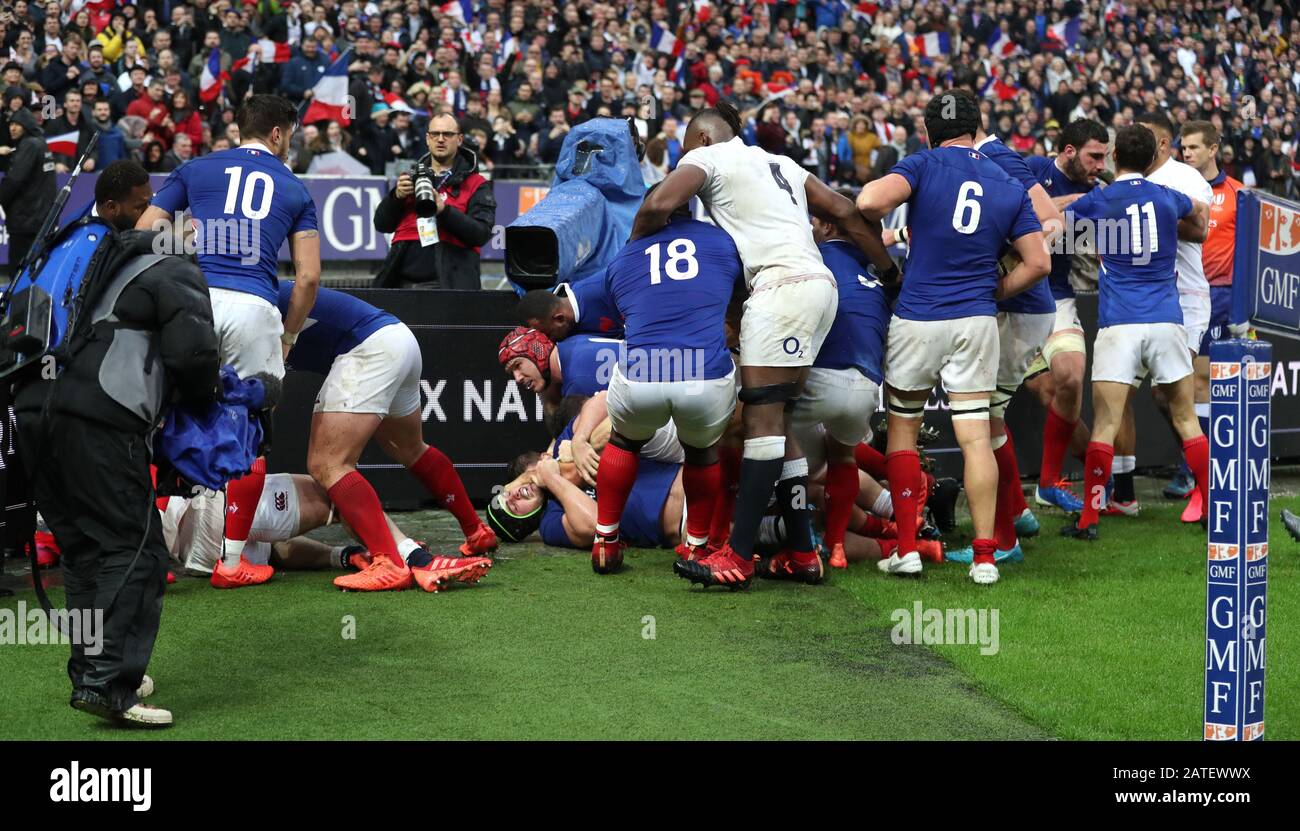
[960,353]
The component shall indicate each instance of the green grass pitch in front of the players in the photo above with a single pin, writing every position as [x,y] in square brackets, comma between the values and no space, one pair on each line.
[1097,642]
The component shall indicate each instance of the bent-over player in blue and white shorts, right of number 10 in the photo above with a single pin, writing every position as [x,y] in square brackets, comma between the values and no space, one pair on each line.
[372,365]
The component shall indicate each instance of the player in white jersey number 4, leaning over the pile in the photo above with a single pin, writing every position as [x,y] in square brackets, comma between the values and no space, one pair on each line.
[764,202]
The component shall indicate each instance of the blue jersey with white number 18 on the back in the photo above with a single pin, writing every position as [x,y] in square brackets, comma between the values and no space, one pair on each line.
[673,289]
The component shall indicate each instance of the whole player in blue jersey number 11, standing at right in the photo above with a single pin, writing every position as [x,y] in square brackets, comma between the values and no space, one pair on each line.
[1139,314]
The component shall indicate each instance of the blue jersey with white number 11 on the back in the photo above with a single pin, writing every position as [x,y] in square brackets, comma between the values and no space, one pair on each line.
[1137,233]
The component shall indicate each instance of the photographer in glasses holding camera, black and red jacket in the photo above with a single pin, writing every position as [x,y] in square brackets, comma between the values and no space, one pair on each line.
[441,250]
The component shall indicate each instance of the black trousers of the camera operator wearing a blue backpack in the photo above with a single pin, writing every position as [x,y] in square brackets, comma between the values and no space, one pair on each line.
[93,487]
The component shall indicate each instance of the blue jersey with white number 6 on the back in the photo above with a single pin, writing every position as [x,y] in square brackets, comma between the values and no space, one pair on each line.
[963,213]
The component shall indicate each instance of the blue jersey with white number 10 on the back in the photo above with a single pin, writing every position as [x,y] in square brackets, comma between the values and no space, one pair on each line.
[248,204]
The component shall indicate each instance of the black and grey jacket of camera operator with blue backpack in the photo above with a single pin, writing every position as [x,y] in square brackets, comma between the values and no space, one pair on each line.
[171,300]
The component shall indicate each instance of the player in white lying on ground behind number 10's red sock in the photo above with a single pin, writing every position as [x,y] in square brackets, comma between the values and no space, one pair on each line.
[293,505]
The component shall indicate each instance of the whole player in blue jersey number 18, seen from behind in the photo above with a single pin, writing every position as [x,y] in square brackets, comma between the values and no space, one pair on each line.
[671,289]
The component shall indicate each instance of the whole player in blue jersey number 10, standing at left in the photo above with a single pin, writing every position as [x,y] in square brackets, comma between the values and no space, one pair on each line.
[246,204]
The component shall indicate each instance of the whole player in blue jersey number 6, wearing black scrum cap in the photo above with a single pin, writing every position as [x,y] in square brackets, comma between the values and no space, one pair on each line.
[963,214]
